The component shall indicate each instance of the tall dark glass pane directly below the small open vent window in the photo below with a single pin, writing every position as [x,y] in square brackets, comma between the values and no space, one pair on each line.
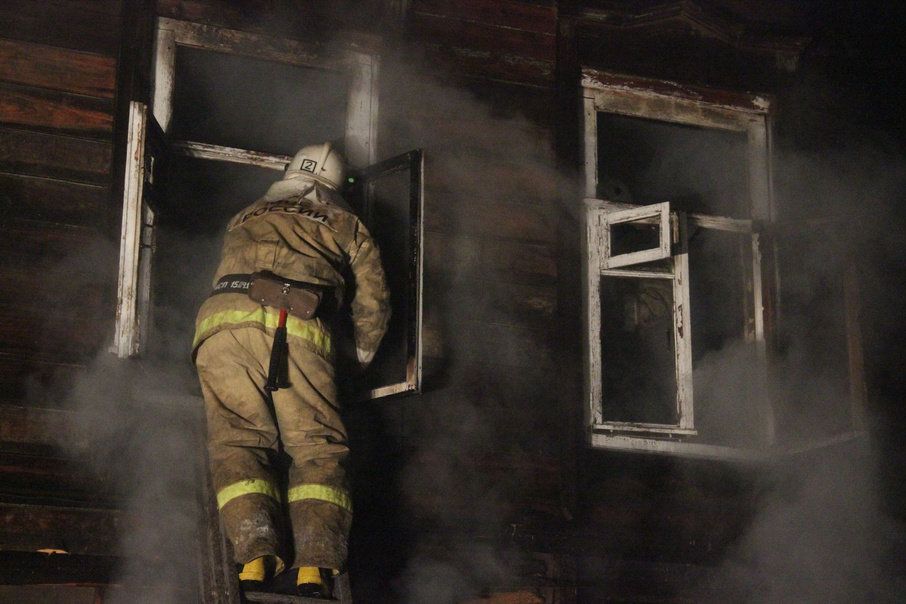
[637,350]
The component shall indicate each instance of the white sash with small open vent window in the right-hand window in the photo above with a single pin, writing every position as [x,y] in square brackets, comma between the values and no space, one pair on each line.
[638,291]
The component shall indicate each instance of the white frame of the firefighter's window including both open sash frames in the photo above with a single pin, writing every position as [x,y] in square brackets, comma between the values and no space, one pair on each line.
[360,145]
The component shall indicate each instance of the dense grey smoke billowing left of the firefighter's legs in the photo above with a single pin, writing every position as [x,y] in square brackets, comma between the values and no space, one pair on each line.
[139,432]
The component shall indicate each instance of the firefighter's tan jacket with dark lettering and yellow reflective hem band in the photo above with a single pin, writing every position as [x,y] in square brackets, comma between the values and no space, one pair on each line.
[303,231]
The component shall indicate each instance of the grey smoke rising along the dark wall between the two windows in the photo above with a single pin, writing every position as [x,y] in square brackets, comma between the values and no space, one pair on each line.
[491,176]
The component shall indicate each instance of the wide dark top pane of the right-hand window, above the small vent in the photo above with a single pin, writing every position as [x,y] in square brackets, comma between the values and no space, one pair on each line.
[697,169]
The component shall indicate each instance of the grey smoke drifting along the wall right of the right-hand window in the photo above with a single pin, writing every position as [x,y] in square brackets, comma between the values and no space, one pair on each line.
[824,530]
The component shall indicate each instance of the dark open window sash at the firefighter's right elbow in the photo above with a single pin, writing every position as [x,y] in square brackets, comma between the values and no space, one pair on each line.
[390,194]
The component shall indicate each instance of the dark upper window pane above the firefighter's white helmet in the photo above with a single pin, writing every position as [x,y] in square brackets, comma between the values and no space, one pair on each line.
[247,103]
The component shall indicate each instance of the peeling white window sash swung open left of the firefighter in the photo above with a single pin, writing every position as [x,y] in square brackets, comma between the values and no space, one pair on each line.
[146,155]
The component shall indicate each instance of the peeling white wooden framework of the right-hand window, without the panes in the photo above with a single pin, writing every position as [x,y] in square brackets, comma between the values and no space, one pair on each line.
[671,103]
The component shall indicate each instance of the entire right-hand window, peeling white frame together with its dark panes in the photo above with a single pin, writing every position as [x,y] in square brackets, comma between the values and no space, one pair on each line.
[624,283]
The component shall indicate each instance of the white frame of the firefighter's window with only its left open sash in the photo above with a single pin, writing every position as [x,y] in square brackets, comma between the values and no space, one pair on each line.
[134,291]
